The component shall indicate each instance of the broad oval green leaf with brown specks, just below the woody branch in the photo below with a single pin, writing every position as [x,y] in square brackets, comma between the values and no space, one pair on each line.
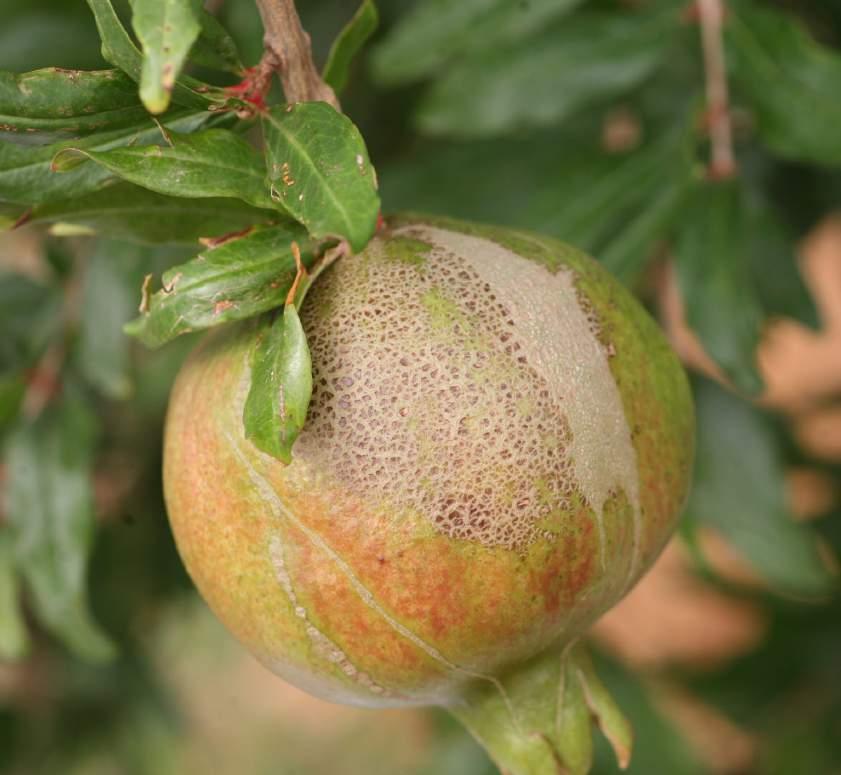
[320,172]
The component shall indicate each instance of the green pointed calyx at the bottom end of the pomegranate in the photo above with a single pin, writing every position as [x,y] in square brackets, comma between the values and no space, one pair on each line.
[537,720]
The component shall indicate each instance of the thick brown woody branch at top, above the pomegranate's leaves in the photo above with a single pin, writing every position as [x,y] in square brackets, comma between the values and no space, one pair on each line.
[289,53]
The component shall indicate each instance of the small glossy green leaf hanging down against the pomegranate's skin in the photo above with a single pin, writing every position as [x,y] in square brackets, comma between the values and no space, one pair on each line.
[281,386]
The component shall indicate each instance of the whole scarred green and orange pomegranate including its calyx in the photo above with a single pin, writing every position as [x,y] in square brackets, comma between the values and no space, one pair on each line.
[498,446]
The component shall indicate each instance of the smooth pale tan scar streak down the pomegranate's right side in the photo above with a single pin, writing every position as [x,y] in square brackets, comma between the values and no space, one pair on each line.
[558,339]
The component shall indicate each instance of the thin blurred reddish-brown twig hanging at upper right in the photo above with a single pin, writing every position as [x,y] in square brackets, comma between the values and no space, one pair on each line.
[711,17]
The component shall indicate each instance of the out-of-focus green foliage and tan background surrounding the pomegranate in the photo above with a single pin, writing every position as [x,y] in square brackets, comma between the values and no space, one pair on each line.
[583,119]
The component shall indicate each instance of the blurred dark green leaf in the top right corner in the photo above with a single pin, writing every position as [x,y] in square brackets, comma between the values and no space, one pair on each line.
[789,79]
